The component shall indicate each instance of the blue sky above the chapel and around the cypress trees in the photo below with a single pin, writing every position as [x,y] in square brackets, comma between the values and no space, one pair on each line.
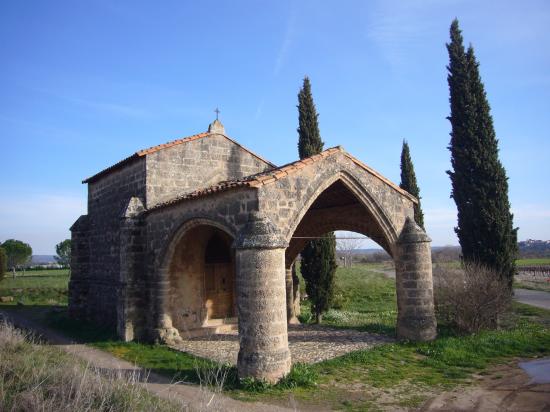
[85,84]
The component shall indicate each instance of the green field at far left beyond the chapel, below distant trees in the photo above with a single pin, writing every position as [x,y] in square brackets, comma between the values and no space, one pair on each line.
[41,287]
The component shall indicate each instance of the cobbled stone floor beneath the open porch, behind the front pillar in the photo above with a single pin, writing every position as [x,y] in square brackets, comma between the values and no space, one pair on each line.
[308,344]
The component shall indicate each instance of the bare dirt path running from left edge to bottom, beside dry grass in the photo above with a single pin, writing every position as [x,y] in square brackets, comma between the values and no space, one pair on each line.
[191,397]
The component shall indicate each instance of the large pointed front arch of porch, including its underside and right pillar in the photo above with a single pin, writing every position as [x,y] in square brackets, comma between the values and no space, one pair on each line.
[342,203]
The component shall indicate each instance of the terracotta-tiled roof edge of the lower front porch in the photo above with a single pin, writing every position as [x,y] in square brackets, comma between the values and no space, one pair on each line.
[270,176]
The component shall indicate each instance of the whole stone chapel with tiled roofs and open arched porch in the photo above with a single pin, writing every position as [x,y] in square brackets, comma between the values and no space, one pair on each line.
[200,233]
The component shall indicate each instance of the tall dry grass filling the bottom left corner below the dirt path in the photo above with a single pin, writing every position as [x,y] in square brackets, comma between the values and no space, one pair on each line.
[40,377]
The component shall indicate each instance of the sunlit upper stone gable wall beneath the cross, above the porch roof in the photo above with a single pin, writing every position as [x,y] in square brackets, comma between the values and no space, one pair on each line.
[196,165]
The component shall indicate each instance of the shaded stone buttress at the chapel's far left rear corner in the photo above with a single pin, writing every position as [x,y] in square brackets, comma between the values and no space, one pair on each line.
[79,283]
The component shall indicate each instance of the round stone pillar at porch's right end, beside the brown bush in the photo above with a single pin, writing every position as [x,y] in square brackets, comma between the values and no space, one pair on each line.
[415,302]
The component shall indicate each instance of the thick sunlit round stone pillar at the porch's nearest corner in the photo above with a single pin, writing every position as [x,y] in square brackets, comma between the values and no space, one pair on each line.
[261,297]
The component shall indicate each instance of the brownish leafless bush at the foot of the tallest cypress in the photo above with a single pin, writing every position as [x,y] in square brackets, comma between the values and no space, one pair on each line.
[470,299]
